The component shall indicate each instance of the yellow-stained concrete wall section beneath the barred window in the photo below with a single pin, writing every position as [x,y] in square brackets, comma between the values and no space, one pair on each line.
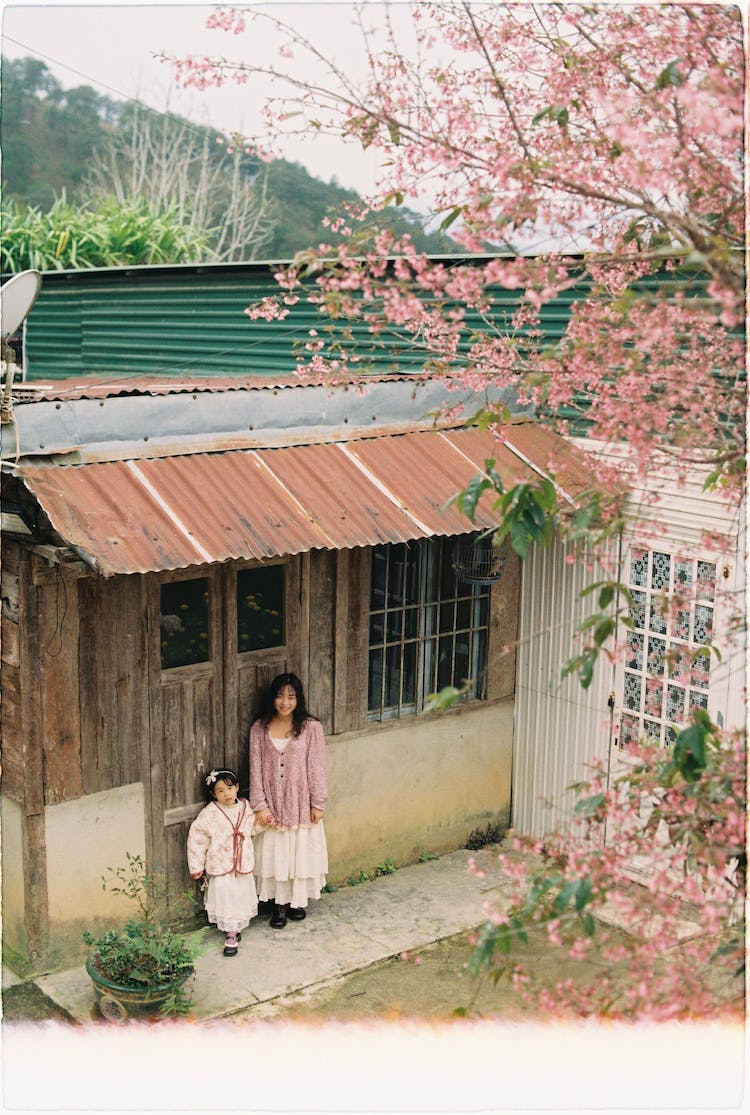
[404,789]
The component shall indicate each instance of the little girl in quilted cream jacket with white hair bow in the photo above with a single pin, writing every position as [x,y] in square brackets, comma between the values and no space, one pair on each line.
[220,845]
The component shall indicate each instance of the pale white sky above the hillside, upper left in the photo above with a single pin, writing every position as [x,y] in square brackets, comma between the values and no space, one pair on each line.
[111,47]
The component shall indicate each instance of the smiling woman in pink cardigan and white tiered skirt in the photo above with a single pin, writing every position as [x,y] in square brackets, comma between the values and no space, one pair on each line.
[288,789]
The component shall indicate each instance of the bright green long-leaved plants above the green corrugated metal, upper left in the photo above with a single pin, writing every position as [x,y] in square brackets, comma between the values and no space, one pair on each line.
[104,235]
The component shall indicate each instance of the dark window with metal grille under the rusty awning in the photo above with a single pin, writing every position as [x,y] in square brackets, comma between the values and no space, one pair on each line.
[427,628]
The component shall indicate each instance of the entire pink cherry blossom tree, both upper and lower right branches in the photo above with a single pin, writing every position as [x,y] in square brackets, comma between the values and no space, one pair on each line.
[588,160]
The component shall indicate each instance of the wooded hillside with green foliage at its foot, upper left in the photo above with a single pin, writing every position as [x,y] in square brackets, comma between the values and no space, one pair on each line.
[51,137]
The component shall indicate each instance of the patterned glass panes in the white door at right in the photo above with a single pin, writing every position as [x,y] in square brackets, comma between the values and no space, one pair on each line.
[666,673]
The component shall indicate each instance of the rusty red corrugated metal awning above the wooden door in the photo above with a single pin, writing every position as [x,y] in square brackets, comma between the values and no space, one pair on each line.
[134,517]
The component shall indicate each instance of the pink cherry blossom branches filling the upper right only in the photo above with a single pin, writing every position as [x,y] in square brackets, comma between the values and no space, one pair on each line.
[613,133]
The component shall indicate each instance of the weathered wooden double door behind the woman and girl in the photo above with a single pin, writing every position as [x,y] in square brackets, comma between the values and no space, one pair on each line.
[204,690]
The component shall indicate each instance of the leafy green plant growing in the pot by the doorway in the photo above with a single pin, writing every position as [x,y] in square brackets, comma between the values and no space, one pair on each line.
[145,954]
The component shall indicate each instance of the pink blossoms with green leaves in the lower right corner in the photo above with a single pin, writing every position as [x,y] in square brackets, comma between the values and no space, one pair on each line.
[694,792]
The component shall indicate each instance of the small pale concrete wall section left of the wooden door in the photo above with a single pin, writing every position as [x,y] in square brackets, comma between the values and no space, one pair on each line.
[84,839]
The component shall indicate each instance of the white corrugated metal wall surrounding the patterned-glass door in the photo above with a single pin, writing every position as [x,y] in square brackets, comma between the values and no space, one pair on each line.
[560,726]
